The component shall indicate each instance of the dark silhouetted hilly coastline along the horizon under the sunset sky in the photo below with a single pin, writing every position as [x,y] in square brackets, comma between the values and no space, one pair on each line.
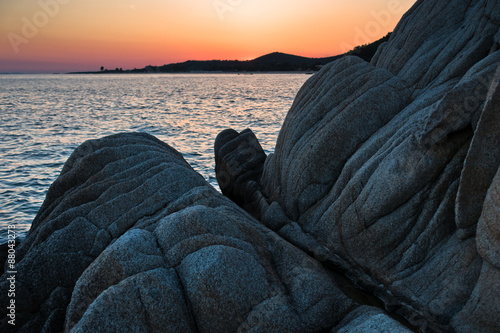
[273,62]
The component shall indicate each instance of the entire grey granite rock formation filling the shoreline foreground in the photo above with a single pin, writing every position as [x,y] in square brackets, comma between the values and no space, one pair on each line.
[379,211]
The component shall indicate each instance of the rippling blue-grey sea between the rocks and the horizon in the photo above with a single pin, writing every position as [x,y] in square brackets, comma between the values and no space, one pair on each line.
[43,118]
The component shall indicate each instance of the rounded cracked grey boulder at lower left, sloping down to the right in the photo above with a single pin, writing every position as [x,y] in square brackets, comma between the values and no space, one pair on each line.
[131,239]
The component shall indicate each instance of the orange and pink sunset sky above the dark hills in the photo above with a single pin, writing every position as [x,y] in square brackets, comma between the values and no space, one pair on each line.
[73,35]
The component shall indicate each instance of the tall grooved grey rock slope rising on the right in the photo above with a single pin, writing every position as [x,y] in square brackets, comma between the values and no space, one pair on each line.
[391,166]
